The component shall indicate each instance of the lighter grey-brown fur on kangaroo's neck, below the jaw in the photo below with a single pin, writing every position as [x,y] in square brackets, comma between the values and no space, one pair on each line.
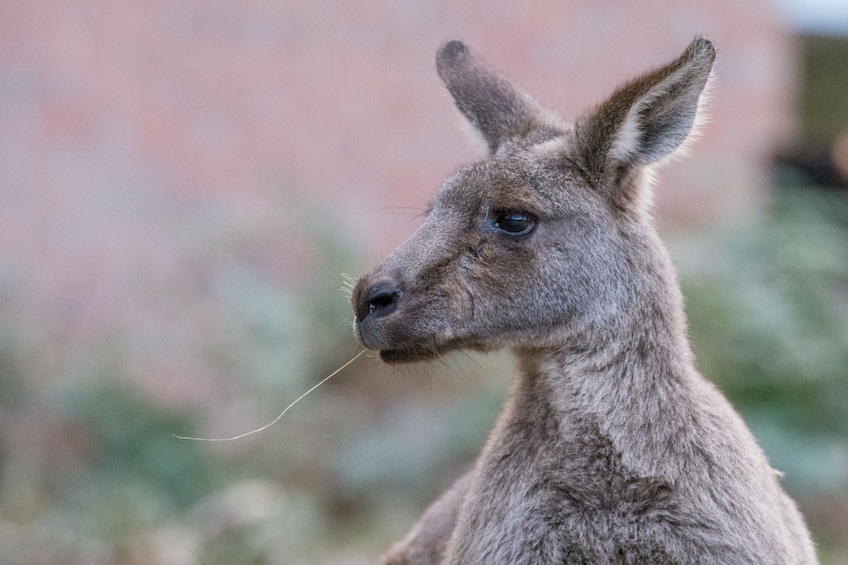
[633,381]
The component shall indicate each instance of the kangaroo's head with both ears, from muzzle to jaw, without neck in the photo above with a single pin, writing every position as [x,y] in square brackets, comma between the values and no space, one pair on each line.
[546,238]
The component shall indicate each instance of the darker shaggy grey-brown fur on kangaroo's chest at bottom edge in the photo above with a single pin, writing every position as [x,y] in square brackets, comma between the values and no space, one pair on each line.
[581,505]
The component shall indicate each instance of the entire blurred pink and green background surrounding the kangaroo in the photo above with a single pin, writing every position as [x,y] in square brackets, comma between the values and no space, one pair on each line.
[185,185]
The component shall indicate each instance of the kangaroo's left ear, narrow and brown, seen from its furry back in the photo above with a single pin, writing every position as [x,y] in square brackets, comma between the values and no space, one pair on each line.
[497,109]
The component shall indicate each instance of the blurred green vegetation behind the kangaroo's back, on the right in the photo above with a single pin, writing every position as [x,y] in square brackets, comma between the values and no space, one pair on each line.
[768,313]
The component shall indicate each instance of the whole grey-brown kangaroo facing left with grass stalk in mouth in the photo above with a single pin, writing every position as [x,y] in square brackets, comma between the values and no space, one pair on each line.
[612,448]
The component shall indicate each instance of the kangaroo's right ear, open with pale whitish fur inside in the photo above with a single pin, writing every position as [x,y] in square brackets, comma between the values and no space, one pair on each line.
[647,119]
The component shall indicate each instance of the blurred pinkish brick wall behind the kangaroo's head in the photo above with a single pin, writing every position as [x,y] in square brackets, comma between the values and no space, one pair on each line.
[123,122]
